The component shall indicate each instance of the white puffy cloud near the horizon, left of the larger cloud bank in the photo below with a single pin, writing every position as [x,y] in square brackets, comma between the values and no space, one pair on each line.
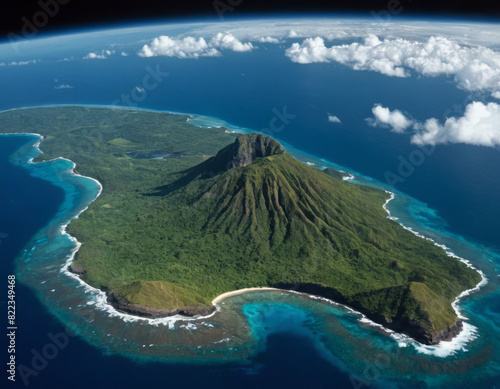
[190,47]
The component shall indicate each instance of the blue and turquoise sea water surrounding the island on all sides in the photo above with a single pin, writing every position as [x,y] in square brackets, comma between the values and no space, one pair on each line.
[285,340]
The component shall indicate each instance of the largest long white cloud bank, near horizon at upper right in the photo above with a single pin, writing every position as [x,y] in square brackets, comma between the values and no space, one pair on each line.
[474,68]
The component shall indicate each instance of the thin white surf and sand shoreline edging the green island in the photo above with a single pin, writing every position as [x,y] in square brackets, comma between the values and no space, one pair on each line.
[101,297]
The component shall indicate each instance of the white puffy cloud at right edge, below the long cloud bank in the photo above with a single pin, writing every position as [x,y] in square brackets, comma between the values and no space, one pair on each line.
[479,126]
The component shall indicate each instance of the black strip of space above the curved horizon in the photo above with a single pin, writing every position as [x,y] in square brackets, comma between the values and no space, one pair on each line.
[54,15]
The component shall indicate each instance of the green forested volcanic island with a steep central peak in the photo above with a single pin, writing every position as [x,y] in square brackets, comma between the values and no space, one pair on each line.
[187,214]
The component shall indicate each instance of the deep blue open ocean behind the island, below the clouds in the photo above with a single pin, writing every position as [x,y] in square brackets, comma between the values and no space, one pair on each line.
[461,182]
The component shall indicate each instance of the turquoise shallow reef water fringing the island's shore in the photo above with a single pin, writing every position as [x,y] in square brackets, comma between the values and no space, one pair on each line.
[248,323]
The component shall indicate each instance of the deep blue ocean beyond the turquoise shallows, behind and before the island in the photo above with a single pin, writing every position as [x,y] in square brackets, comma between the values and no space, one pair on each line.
[457,186]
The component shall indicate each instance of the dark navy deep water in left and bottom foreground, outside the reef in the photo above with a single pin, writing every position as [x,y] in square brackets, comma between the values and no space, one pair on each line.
[30,203]
